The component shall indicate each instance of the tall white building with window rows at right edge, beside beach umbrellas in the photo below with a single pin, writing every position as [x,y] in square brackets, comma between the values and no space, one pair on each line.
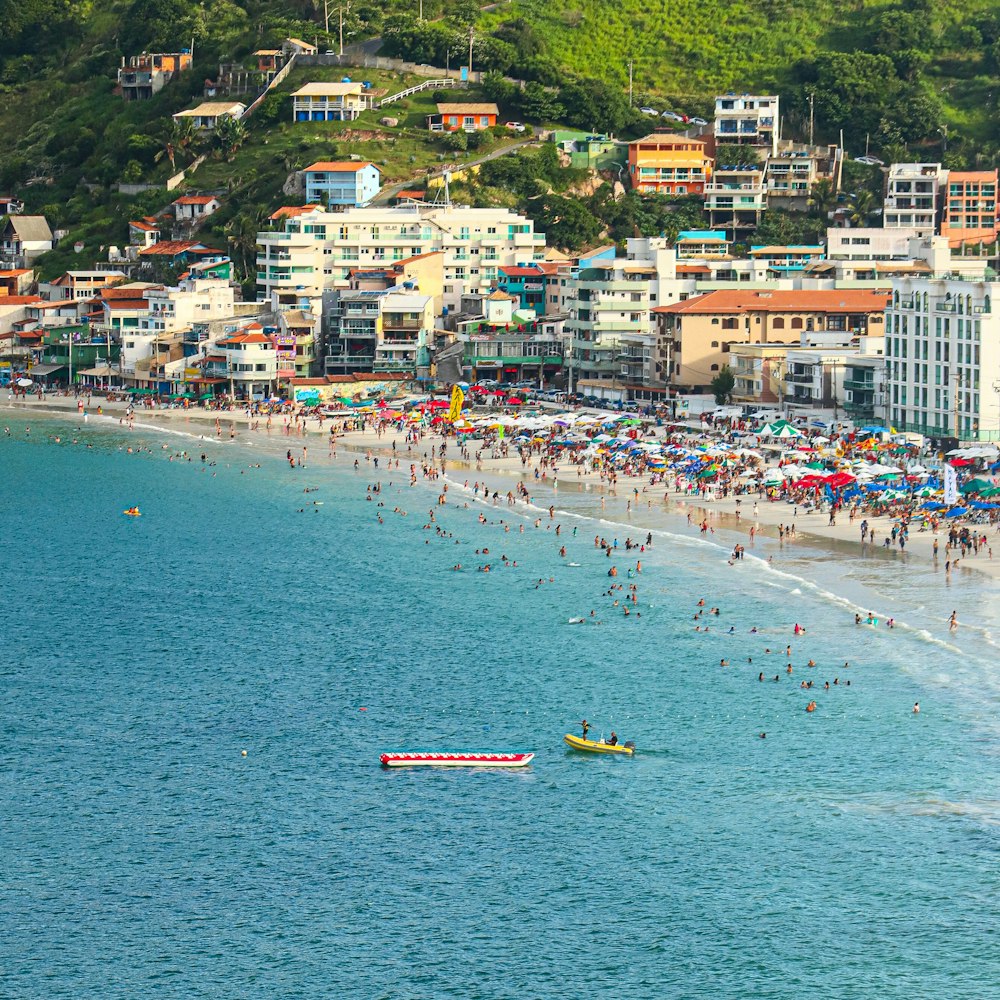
[943,357]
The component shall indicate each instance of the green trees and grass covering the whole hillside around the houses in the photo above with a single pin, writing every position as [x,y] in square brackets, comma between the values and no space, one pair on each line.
[909,76]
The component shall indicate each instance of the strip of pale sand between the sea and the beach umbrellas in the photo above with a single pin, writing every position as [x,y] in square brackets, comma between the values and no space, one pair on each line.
[729,519]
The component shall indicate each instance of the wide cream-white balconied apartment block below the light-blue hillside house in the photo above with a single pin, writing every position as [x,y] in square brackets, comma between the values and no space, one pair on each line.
[319,249]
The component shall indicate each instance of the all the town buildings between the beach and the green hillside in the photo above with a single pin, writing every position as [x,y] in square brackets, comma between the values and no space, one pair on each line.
[893,323]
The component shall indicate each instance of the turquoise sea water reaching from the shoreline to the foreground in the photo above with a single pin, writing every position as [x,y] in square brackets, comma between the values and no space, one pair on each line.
[854,852]
